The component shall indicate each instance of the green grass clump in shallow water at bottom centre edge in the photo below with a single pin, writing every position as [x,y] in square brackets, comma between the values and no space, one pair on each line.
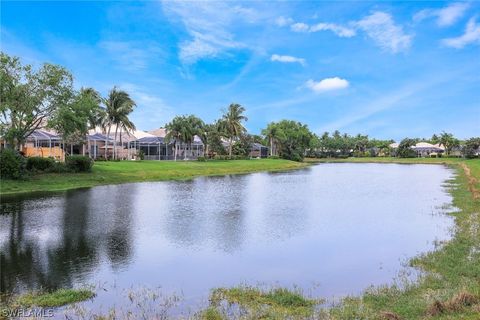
[254,303]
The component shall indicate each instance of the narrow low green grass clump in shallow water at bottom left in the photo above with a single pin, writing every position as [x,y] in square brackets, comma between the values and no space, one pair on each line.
[56,298]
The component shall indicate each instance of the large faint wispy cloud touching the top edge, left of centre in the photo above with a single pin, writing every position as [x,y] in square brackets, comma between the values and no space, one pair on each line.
[209,25]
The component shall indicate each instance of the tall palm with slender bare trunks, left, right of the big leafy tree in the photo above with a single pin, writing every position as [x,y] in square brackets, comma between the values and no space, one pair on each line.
[118,106]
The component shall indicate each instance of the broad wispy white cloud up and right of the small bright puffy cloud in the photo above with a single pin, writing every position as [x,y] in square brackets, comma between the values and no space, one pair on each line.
[385,33]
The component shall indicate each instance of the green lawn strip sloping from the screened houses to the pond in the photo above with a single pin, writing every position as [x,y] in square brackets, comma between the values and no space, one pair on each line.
[112,172]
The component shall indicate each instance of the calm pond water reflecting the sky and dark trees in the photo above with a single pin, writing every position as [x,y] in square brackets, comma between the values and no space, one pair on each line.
[336,228]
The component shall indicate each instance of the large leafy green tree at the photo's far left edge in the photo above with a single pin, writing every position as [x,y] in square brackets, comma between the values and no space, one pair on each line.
[28,97]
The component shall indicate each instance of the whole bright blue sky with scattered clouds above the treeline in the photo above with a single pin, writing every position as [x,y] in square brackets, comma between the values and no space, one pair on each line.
[384,69]
